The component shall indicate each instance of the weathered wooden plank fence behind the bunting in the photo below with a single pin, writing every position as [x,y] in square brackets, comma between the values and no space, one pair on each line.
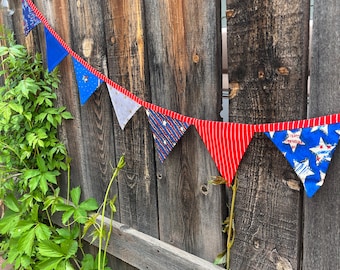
[169,53]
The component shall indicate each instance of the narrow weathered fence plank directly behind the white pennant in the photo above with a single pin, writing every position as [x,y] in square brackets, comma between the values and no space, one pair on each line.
[125,42]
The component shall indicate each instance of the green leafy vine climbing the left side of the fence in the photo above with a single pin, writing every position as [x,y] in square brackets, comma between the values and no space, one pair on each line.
[31,159]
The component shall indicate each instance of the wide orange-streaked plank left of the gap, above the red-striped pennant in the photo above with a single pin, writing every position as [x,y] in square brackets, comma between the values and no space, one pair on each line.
[184,57]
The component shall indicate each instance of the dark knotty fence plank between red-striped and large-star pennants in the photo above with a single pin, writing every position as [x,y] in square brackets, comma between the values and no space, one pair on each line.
[267,57]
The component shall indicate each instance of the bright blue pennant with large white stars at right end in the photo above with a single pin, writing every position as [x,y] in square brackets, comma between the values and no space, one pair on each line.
[309,151]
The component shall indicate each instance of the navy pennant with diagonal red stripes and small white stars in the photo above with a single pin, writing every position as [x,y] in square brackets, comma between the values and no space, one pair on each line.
[166,132]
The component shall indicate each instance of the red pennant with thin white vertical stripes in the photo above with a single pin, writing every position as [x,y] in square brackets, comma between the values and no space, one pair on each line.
[227,143]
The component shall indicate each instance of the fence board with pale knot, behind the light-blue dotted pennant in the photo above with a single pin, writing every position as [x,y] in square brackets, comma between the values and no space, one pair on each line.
[96,131]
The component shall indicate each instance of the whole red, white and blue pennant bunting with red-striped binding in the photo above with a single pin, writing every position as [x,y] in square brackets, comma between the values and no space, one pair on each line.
[308,145]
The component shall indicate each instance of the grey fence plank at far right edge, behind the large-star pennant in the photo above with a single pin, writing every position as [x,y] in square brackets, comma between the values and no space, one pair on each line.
[321,213]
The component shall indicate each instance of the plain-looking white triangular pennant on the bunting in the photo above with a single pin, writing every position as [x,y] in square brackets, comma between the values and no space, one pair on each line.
[124,106]
